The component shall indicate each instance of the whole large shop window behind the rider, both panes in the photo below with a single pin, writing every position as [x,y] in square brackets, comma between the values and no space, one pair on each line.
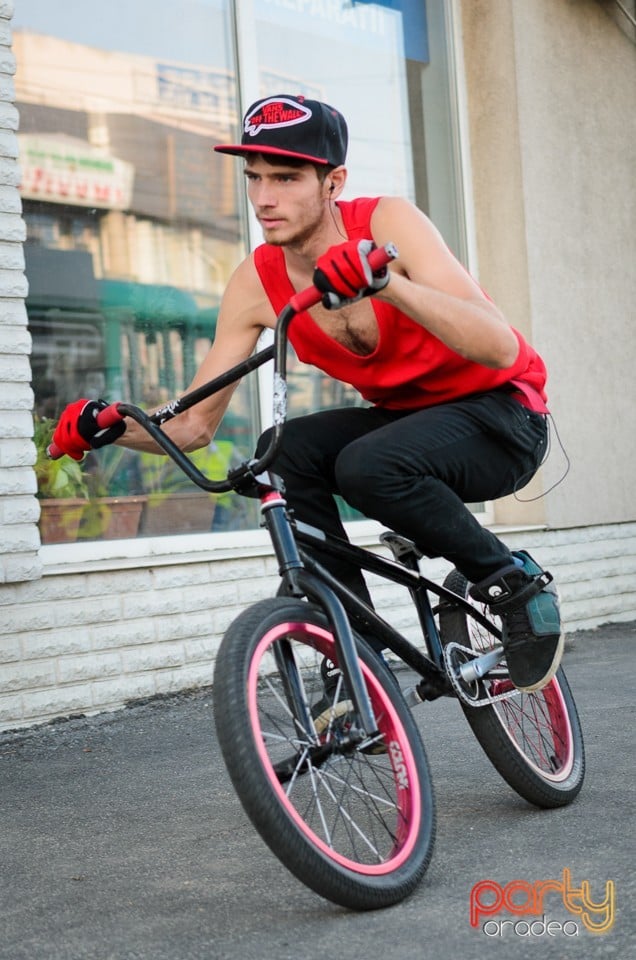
[134,226]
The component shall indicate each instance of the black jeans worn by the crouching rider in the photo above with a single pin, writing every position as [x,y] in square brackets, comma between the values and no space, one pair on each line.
[414,472]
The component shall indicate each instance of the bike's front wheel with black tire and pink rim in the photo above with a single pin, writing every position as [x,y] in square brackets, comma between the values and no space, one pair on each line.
[355,825]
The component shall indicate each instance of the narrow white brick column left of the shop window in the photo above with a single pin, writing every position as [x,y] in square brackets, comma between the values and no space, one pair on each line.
[19,510]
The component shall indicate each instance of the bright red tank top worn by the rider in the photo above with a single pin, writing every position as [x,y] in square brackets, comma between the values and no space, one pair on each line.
[409,368]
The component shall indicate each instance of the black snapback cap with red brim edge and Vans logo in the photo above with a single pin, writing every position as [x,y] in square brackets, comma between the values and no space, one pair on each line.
[288,126]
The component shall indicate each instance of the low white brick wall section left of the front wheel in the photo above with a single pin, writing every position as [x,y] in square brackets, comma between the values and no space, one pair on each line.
[89,642]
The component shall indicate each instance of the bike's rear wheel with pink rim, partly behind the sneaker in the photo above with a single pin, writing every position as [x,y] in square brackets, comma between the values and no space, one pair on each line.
[534,740]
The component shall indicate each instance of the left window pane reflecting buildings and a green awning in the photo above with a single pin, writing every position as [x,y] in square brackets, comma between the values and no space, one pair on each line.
[132,235]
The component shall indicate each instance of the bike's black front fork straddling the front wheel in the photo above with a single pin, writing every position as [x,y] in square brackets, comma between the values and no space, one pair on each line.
[298,581]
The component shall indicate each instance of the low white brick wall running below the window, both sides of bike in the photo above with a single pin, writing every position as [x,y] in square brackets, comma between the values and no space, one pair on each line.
[87,642]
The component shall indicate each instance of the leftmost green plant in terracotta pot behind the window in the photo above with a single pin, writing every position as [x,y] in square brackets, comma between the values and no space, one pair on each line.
[62,489]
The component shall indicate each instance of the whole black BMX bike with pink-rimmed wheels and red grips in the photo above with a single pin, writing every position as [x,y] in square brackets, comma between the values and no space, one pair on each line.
[347,805]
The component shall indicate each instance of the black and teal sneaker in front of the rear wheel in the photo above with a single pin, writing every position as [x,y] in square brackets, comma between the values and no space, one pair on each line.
[526,599]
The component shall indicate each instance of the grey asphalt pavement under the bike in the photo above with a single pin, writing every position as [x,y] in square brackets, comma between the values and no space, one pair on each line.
[121,839]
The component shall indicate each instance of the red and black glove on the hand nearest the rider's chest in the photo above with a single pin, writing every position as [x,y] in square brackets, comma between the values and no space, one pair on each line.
[343,274]
